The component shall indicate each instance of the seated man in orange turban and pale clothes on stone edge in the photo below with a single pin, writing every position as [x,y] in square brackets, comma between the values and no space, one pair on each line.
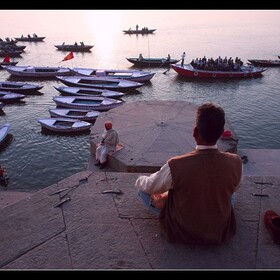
[109,142]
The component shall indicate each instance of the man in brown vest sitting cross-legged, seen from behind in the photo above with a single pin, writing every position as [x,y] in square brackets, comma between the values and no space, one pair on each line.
[193,194]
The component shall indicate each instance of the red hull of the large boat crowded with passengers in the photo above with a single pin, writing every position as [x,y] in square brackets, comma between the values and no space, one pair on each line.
[246,72]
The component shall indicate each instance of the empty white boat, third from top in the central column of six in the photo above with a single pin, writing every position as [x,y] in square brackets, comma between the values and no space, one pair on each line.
[84,91]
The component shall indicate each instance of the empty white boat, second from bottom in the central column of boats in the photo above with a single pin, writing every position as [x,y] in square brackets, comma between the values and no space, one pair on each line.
[80,114]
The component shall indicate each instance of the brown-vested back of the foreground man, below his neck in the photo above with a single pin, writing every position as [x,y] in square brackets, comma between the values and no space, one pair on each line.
[198,208]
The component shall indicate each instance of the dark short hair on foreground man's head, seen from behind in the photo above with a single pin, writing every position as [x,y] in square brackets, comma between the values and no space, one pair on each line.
[210,121]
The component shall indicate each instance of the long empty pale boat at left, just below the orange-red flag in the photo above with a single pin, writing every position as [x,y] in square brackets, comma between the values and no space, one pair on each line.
[37,71]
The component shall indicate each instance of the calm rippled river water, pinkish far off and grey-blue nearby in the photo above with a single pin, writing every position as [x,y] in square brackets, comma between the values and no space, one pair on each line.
[35,160]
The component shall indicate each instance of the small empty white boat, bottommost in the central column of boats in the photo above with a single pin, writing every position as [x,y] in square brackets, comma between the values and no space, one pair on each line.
[64,124]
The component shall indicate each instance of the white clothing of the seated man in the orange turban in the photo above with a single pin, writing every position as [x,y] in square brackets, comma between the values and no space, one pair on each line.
[110,141]
